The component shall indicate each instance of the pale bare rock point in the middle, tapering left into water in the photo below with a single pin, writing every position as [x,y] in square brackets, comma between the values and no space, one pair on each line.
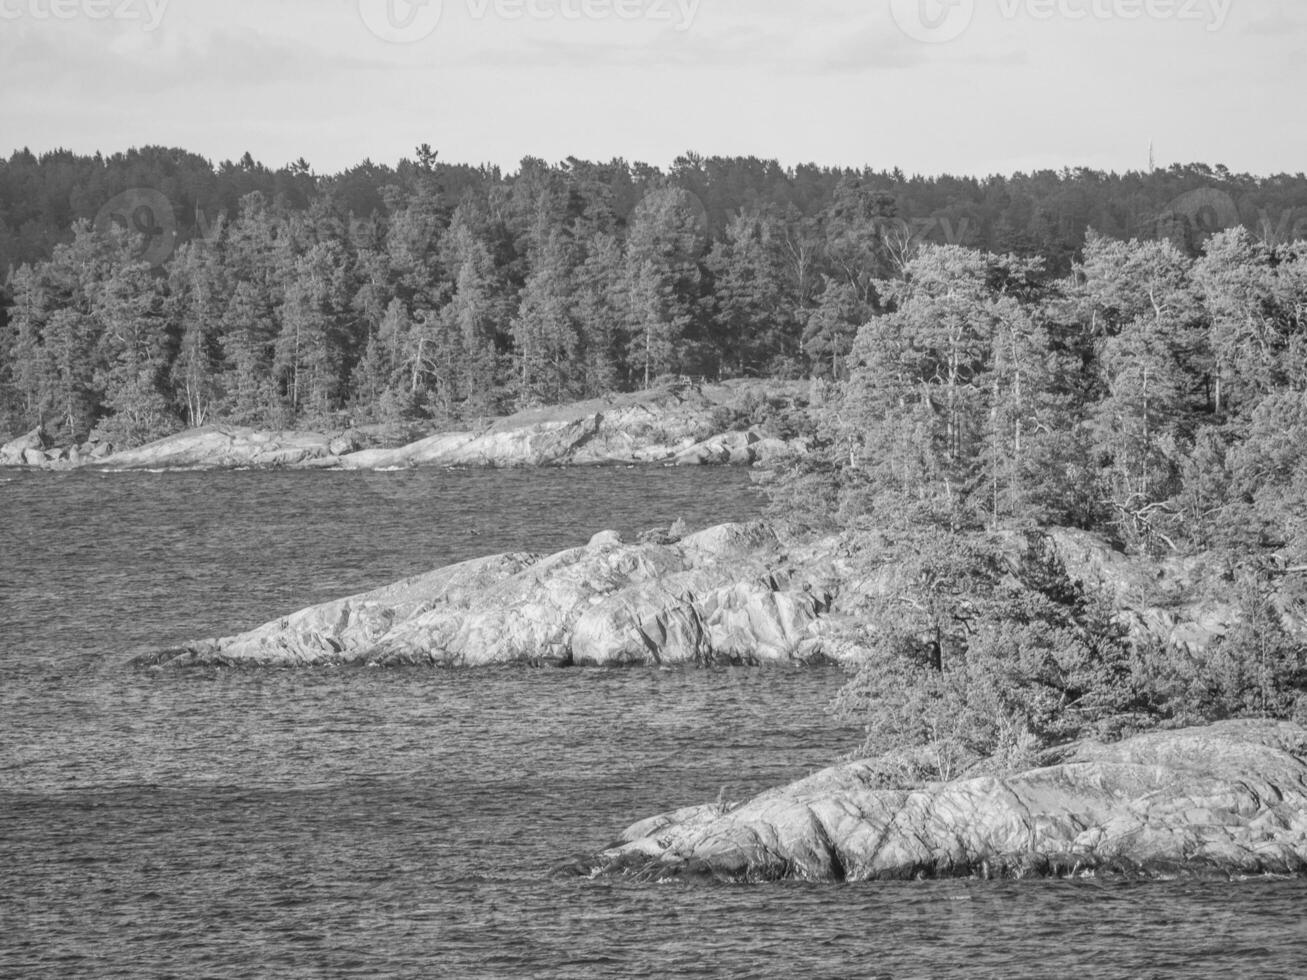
[729,595]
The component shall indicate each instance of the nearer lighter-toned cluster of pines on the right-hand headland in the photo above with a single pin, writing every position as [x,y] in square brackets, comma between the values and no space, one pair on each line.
[1156,399]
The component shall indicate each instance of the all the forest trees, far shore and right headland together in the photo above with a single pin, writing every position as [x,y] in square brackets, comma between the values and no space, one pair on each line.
[990,359]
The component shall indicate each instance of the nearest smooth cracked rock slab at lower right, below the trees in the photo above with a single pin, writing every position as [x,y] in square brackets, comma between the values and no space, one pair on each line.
[1228,800]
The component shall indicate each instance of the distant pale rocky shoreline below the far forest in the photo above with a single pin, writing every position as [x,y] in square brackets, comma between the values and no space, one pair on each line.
[680,425]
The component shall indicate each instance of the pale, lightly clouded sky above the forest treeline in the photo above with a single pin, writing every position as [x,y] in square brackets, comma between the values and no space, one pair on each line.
[964,87]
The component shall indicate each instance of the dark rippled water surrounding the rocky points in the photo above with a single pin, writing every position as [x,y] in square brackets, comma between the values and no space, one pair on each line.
[368,824]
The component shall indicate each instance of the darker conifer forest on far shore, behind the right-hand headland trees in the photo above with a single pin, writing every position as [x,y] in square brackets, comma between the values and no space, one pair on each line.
[444,292]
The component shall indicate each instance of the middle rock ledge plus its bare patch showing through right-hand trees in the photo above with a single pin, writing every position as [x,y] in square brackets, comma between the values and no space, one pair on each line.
[739,594]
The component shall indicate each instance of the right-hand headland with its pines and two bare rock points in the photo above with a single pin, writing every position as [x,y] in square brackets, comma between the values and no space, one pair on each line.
[1034,519]
